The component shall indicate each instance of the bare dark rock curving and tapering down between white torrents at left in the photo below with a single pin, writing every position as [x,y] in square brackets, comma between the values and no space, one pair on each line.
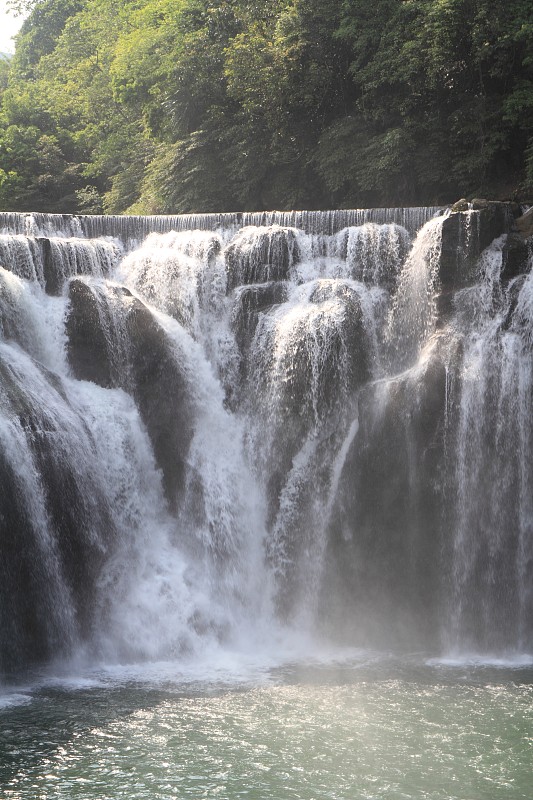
[114,341]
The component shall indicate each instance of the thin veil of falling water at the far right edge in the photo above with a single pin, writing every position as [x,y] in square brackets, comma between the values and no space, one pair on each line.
[491,473]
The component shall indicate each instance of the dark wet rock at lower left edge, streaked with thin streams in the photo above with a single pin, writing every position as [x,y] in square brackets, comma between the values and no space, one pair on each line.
[53,544]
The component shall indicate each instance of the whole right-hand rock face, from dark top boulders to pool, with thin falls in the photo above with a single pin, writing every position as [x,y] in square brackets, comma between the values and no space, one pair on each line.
[429,517]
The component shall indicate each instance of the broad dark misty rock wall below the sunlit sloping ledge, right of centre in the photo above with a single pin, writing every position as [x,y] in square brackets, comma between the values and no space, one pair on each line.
[384,550]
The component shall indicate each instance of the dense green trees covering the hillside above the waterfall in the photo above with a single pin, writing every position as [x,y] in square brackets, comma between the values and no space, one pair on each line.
[197,105]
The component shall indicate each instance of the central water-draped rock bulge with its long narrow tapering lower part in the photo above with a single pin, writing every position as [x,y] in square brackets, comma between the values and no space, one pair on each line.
[328,361]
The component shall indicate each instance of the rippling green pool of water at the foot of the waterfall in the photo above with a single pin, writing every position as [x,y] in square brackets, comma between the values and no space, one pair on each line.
[381,728]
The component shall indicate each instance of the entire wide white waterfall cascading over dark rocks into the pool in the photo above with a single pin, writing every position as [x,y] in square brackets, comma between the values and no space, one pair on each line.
[212,427]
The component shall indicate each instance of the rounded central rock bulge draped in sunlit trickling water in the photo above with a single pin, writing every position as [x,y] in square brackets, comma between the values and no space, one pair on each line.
[312,353]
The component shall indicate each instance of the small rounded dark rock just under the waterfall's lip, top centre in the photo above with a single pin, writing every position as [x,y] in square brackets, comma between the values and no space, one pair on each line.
[261,255]
